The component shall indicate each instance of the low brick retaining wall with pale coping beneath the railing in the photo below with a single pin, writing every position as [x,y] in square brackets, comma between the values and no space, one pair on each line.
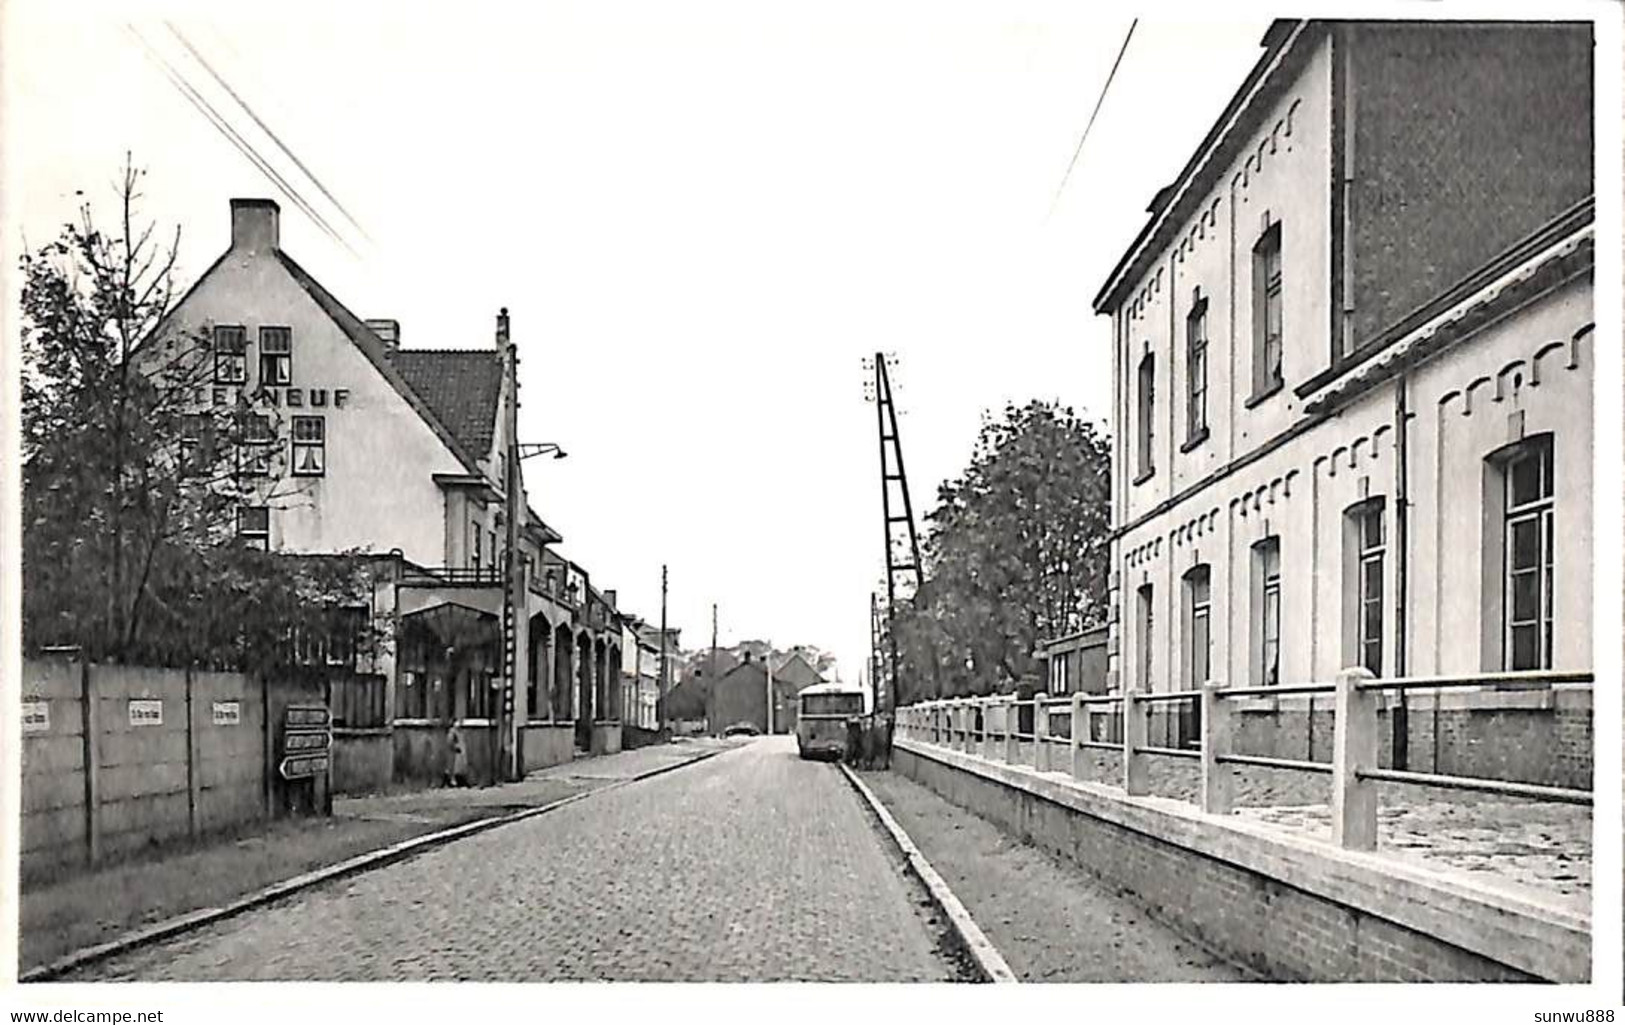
[1275,925]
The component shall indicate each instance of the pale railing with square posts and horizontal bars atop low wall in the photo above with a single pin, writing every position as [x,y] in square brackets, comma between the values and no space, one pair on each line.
[999,729]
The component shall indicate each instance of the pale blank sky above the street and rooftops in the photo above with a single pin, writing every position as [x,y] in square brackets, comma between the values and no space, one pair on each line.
[701,220]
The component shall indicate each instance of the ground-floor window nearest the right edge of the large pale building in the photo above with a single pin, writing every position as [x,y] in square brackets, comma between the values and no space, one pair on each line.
[1528,547]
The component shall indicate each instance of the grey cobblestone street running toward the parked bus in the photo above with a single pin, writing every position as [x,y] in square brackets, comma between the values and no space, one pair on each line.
[750,867]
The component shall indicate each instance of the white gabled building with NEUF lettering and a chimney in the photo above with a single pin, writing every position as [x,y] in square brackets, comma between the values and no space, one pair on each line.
[404,456]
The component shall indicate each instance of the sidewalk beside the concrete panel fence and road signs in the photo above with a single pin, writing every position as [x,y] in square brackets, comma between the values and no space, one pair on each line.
[89,909]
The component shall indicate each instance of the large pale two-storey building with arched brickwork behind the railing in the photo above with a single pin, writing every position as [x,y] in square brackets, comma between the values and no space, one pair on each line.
[1353,361]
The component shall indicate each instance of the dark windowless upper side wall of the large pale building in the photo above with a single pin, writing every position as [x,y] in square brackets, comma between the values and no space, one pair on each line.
[1431,105]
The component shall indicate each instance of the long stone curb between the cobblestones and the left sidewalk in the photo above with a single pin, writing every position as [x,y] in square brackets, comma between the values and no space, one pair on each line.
[362,863]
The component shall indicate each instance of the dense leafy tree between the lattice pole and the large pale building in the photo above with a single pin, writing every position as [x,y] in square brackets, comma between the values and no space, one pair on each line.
[1016,553]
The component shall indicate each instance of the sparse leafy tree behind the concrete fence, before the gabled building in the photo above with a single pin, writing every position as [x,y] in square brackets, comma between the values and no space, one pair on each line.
[136,475]
